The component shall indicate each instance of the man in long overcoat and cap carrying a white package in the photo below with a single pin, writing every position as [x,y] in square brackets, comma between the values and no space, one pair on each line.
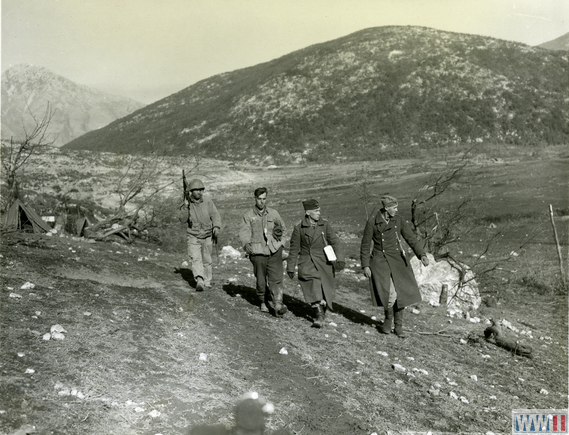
[316,272]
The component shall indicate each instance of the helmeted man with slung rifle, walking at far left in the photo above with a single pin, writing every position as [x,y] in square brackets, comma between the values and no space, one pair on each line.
[204,223]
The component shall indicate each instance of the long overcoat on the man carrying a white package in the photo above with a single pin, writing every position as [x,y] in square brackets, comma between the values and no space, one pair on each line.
[307,249]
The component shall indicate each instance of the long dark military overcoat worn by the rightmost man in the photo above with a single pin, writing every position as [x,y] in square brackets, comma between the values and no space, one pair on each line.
[381,250]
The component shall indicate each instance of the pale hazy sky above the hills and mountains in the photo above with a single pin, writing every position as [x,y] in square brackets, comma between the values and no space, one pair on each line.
[149,49]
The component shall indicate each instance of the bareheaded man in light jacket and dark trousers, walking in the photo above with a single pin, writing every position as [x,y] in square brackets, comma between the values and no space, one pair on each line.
[261,237]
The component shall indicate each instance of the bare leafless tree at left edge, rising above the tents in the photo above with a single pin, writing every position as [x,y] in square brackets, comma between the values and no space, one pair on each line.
[16,153]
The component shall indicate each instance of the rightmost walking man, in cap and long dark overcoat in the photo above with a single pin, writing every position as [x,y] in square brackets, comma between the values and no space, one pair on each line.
[393,283]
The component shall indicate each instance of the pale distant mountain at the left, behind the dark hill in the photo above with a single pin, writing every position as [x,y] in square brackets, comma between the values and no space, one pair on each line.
[77,109]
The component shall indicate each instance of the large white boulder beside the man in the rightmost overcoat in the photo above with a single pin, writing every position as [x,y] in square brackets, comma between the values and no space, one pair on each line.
[431,279]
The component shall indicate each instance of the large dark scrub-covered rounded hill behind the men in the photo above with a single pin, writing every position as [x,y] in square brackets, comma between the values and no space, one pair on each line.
[378,92]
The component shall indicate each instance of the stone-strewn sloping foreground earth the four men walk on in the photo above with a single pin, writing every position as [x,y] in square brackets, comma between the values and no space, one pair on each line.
[140,352]
